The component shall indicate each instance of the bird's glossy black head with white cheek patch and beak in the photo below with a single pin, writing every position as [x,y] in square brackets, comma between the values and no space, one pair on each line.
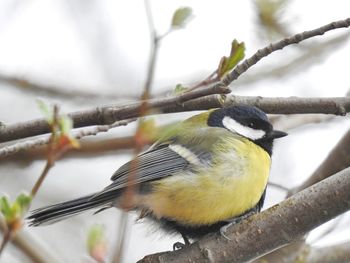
[247,121]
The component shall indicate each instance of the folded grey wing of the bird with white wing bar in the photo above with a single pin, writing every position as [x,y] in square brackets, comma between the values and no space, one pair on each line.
[158,162]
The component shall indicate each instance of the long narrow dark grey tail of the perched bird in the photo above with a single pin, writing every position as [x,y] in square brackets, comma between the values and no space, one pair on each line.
[54,213]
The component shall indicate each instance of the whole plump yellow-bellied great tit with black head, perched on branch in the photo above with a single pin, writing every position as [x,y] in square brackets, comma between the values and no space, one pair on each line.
[206,171]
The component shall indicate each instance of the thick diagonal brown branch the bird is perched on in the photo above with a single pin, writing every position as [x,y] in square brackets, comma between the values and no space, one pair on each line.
[273,228]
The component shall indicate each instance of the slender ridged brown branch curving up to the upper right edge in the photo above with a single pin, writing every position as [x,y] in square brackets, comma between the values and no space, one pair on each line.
[108,115]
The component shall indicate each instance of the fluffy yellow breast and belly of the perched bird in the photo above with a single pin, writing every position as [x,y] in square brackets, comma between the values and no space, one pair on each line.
[219,192]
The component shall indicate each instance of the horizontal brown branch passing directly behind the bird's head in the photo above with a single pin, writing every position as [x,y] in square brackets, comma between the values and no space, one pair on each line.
[108,115]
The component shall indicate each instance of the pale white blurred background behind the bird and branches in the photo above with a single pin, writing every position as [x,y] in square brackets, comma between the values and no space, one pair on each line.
[84,53]
